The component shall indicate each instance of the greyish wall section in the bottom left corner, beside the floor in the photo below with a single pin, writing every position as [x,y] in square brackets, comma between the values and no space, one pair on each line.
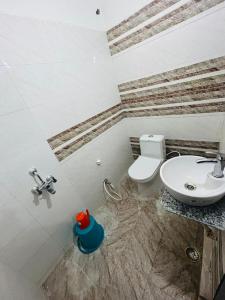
[13,286]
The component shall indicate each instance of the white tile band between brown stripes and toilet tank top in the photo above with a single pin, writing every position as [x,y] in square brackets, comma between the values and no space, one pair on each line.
[205,127]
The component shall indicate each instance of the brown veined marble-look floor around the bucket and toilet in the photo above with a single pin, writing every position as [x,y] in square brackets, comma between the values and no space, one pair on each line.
[142,257]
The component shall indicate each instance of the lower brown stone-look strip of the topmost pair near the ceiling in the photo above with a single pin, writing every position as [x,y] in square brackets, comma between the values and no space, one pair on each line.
[171,19]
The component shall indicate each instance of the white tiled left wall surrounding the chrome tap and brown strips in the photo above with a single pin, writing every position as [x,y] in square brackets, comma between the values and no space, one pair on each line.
[53,76]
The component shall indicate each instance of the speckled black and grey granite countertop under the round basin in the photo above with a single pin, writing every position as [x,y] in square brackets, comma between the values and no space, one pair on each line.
[212,215]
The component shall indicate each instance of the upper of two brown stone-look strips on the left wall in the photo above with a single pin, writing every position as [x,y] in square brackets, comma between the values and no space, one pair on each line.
[72,132]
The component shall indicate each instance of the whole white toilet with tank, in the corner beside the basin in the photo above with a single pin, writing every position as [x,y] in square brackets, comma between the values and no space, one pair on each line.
[145,170]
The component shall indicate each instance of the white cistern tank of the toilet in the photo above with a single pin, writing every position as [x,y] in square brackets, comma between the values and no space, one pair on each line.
[153,146]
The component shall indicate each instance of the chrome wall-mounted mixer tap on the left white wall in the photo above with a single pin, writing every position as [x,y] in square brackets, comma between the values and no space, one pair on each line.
[46,184]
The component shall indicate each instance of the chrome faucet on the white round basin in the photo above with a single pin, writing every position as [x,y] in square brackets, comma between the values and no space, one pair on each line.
[219,164]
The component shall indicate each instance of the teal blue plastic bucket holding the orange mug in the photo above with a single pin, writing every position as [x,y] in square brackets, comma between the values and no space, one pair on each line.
[90,238]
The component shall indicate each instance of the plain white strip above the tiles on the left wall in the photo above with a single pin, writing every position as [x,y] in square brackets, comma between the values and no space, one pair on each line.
[76,12]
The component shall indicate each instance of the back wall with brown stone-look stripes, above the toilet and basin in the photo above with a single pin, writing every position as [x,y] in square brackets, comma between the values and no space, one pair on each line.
[157,53]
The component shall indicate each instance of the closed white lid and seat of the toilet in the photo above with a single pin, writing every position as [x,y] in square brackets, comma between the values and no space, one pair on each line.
[144,168]
